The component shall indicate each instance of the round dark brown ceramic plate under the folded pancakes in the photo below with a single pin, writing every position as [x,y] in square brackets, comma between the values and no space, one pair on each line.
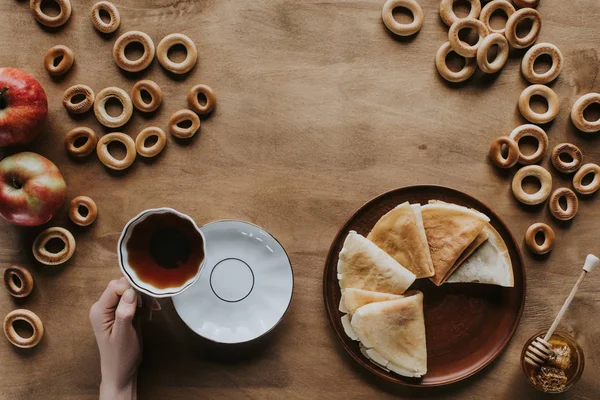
[467,325]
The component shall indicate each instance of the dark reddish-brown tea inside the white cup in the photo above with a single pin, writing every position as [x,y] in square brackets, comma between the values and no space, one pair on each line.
[165,250]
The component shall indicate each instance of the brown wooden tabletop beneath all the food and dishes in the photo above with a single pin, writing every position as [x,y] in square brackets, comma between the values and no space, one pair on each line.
[319,109]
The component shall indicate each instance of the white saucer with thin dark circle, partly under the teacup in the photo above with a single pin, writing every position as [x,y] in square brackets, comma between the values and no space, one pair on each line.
[244,288]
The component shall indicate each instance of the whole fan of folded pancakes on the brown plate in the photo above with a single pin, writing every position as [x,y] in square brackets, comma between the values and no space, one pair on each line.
[444,242]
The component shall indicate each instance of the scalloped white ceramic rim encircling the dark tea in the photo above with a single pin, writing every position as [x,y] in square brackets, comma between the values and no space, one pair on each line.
[142,286]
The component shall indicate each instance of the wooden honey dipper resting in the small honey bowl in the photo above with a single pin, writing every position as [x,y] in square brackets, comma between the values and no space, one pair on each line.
[539,350]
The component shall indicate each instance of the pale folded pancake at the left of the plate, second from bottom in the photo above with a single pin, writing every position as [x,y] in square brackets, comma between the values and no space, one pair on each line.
[363,265]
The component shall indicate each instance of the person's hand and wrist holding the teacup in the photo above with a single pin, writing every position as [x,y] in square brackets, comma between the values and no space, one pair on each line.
[119,339]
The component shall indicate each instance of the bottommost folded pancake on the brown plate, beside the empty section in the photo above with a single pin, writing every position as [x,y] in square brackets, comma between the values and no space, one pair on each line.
[392,334]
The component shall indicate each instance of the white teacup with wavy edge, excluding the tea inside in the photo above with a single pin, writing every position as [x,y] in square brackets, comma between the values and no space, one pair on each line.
[131,274]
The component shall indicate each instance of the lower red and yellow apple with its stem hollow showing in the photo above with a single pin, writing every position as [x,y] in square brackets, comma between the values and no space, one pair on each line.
[31,189]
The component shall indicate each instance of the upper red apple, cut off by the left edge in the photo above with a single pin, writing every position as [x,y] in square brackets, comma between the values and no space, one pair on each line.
[23,107]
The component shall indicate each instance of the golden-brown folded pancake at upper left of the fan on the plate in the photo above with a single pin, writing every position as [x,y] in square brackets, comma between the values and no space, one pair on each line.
[398,233]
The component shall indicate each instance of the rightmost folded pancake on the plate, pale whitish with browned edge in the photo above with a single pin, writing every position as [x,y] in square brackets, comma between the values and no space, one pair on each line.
[490,263]
